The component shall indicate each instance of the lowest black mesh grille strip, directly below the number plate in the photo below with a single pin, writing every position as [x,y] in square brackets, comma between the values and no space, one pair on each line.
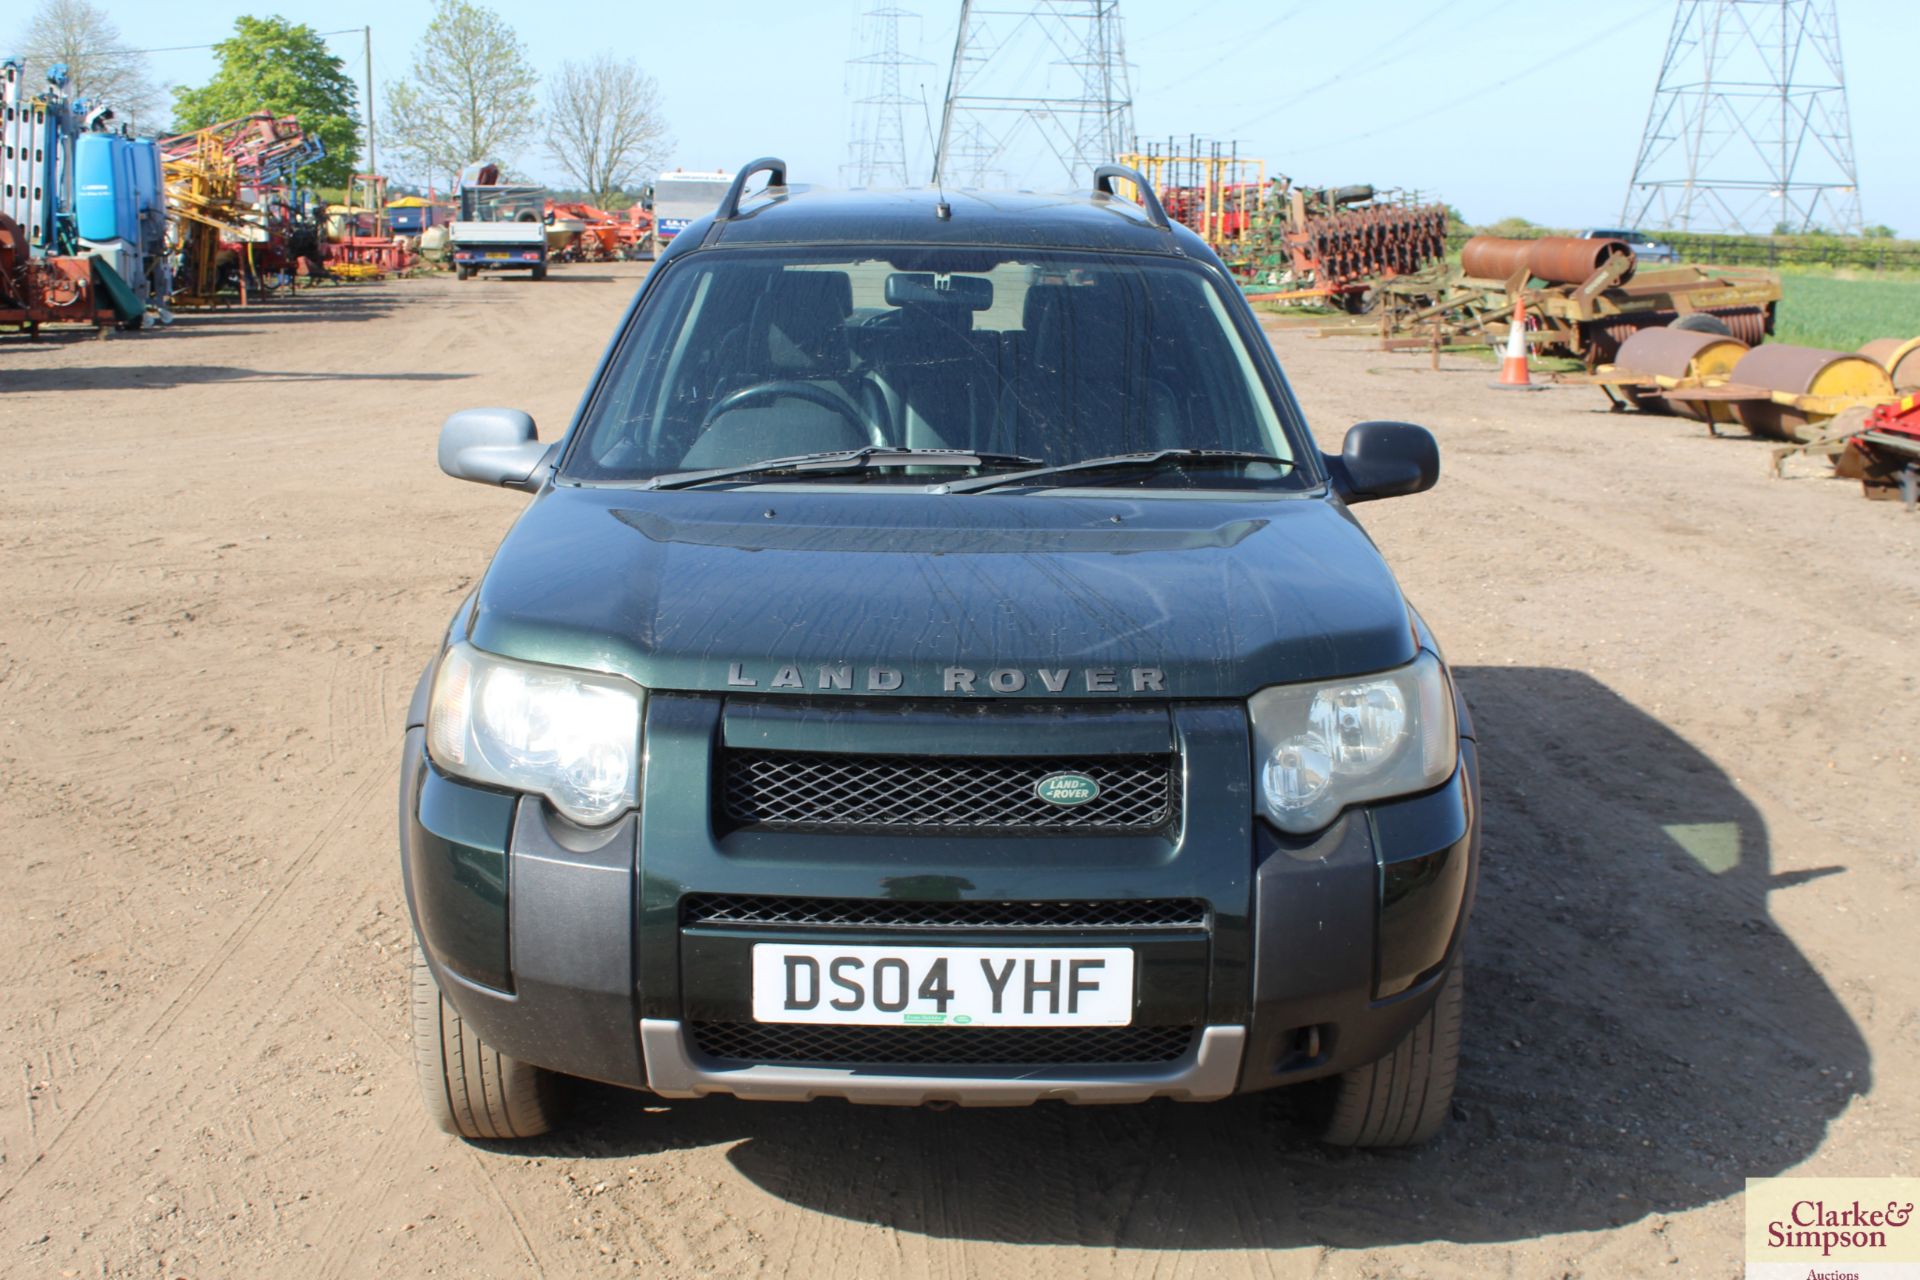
[942,1047]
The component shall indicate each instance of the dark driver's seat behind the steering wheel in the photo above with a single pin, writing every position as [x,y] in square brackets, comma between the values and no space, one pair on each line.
[798,335]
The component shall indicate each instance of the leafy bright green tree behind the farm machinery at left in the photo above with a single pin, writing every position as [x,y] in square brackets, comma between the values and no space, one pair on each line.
[272,64]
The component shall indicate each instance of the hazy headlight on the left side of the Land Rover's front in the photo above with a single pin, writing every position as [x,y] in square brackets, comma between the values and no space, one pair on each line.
[567,736]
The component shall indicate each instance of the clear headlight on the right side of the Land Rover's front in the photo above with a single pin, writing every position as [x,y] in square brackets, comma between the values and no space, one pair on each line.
[1324,747]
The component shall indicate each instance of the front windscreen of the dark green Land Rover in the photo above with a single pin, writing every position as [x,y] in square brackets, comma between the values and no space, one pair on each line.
[744,356]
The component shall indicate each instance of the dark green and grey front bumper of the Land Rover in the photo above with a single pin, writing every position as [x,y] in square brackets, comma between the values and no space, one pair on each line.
[571,949]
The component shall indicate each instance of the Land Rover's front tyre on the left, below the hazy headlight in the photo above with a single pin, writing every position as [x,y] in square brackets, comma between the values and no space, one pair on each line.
[473,1091]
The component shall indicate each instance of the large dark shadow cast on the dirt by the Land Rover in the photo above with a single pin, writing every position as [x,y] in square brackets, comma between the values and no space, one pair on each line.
[1641,1041]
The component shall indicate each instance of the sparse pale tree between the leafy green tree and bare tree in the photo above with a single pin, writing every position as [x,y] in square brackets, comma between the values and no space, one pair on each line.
[471,95]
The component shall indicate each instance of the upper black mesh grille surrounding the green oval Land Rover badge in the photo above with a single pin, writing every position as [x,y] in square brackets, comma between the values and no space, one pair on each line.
[948,794]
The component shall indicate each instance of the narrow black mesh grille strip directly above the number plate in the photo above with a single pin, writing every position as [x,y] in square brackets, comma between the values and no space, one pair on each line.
[890,914]
